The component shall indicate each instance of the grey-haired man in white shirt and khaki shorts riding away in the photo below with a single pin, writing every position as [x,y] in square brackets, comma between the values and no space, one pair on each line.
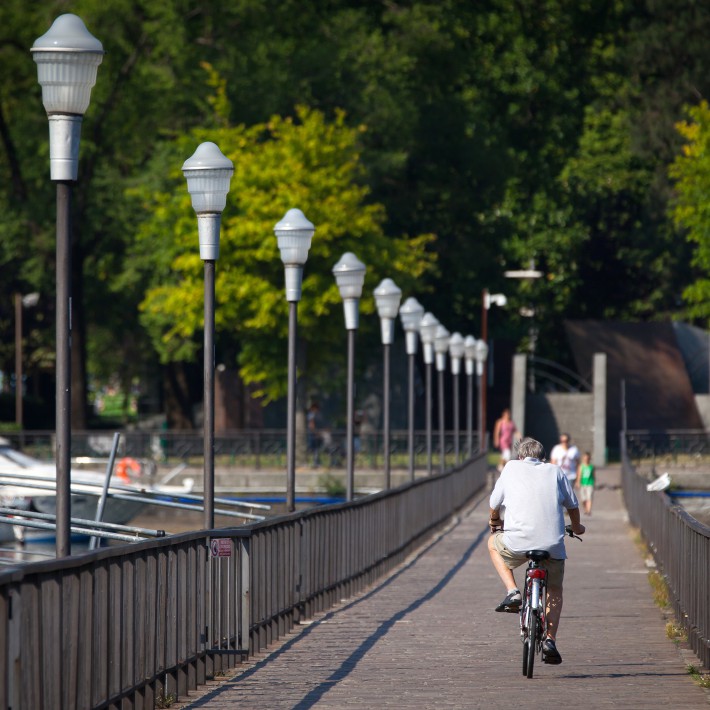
[534,494]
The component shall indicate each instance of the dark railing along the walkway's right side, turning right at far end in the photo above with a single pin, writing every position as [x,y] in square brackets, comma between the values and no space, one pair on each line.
[679,543]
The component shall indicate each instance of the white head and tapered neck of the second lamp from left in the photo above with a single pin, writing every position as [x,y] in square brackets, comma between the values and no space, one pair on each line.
[208,173]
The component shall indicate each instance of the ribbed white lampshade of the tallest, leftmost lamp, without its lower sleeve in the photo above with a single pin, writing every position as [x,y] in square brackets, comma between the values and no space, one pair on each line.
[67,58]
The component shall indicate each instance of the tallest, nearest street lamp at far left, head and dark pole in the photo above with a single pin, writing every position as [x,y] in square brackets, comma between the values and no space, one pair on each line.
[67,58]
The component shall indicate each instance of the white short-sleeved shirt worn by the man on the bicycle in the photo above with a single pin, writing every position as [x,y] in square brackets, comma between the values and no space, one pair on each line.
[534,495]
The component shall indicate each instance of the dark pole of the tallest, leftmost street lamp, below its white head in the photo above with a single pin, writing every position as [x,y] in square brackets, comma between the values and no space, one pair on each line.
[63,369]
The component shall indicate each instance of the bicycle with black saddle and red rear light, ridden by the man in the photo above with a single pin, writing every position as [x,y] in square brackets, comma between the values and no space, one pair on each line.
[533,619]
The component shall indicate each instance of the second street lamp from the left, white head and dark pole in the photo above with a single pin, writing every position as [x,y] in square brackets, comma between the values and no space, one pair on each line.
[208,173]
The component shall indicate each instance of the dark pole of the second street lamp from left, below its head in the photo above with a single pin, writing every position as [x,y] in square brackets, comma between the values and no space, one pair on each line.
[209,394]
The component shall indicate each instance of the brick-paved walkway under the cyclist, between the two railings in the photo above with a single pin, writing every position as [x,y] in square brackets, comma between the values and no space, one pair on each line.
[427,637]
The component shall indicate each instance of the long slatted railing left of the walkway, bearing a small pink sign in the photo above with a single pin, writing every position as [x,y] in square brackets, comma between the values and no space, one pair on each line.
[142,624]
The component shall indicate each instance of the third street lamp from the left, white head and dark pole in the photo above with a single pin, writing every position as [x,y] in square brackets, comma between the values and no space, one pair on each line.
[293,234]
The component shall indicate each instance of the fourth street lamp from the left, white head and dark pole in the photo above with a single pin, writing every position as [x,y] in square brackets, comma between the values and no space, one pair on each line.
[349,275]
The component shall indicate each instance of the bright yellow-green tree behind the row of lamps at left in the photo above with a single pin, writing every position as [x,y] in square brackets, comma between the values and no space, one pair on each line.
[306,162]
